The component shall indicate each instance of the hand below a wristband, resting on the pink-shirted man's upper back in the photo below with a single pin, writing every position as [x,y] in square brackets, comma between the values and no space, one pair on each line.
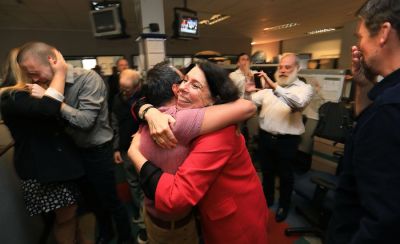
[160,128]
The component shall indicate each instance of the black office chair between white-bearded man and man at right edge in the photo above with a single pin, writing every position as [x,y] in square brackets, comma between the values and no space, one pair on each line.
[317,187]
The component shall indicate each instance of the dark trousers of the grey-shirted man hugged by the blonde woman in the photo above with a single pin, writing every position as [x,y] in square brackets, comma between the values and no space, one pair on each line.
[101,194]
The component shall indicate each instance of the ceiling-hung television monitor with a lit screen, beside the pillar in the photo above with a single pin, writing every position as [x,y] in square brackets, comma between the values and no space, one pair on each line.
[186,24]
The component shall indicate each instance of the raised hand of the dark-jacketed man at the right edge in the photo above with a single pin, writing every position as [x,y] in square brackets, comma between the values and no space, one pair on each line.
[361,75]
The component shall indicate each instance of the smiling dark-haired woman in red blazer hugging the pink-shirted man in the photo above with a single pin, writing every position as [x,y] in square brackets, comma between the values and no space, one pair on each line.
[217,176]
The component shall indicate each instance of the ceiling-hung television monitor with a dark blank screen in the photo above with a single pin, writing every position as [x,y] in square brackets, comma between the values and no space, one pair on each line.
[107,22]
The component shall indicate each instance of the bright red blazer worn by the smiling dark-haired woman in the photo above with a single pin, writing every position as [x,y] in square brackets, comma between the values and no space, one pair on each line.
[219,177]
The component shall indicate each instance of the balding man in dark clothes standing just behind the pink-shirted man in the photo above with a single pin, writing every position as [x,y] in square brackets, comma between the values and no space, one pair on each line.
[124,126]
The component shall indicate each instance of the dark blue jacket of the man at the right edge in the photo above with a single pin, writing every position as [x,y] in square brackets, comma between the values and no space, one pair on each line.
[367,203]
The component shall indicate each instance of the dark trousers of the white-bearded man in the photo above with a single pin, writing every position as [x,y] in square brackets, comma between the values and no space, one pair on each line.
[277,155]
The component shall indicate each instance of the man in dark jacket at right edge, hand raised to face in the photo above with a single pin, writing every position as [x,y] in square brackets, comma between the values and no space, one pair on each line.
[367,204]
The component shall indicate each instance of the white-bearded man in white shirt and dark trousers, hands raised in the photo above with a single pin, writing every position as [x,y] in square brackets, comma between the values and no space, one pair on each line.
[281,125]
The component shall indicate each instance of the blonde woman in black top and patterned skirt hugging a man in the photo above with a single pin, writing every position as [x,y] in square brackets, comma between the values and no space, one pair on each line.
[45,159]
